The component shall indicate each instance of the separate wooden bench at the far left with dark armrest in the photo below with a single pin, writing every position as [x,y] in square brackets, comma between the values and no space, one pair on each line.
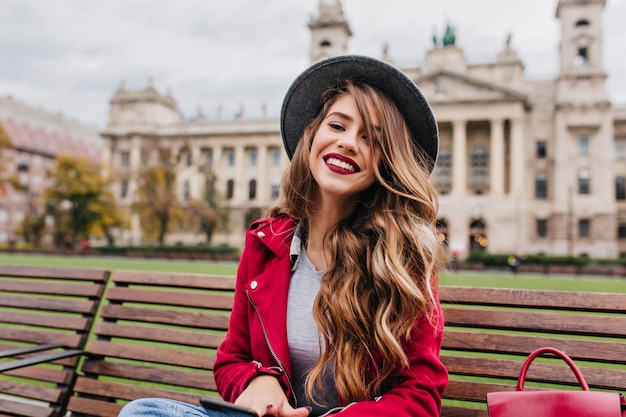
[46,314]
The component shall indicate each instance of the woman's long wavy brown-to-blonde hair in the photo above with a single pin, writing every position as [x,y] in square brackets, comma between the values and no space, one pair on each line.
[385,254]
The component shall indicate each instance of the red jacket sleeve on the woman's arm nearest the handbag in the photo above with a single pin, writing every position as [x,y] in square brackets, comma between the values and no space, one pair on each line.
[422,383]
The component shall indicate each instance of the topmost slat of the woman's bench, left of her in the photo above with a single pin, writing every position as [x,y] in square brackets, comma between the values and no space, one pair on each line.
[175,280]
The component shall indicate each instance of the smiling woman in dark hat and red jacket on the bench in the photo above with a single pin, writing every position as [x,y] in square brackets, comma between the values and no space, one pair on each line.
[336,307]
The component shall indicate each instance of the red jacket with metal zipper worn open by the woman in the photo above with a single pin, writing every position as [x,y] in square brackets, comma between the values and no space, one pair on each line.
[256,342]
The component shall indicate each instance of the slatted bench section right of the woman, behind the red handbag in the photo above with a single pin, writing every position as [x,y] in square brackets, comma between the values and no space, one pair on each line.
[489,332]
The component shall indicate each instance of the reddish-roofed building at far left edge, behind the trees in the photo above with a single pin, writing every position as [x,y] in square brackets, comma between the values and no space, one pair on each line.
[35,138]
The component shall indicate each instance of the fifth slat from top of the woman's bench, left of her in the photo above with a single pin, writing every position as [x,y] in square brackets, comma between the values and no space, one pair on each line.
[152,354]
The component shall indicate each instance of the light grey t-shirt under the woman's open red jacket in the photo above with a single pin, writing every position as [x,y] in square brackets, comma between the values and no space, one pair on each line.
[302,334]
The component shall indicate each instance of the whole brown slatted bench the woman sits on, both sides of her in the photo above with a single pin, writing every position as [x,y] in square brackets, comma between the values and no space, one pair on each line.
[159,332]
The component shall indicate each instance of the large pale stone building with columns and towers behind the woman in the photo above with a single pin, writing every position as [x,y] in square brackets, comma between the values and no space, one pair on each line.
[524,165]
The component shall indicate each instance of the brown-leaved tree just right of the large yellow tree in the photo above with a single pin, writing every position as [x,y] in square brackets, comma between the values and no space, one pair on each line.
[156,197]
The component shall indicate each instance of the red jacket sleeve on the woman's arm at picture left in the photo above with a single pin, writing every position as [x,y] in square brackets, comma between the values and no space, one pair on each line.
[235,366]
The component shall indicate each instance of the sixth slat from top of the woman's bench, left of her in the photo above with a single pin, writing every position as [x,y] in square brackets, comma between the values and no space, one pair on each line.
[203,381]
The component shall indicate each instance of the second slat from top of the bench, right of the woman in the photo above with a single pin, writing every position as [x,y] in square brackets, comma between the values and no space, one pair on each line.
[575,324]
